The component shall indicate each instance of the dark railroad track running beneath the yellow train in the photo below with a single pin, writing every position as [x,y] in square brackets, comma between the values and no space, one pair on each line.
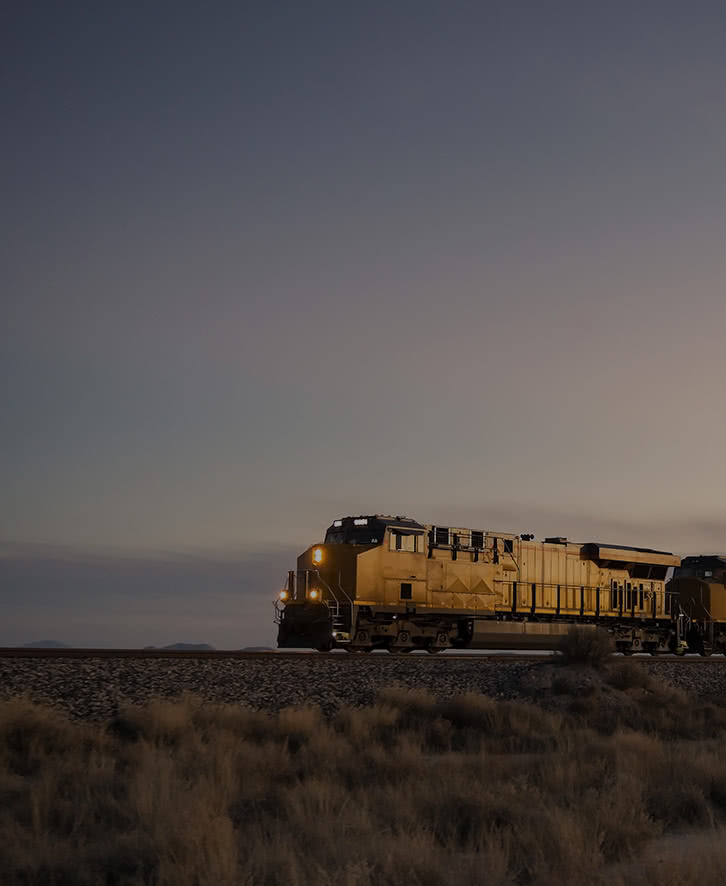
[270,655]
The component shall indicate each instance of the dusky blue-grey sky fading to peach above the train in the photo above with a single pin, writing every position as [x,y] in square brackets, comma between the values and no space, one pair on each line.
[269,264]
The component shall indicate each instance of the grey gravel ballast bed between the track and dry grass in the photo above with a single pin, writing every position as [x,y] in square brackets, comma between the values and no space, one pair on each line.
[96,688]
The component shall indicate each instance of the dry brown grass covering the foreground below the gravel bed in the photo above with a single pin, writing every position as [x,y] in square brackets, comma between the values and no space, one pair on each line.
[410,791]
